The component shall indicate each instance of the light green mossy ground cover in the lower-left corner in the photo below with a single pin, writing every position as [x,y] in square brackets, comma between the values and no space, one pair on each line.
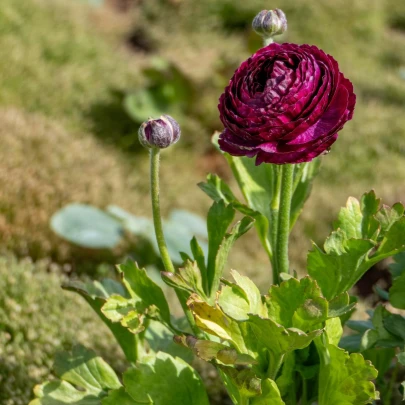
[37,319]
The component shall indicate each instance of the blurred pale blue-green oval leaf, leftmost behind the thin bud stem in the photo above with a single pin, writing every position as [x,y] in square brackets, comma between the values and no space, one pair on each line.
[87,226]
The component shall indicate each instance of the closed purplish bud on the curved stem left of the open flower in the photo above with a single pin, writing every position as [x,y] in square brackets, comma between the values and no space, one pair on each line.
[159,133]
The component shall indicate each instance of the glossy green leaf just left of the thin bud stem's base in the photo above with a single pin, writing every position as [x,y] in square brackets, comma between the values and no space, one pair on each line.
[141,287]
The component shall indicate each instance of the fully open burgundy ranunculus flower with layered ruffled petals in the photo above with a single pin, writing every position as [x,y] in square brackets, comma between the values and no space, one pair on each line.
[285,104]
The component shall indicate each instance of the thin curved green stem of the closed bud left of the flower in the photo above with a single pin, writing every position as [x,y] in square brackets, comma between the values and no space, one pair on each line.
[157,222]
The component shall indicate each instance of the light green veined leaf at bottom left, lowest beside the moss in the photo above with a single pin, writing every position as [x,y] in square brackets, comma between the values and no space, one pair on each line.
[83,369]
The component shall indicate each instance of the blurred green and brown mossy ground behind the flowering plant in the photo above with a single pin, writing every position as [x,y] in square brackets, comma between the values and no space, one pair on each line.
[78,76]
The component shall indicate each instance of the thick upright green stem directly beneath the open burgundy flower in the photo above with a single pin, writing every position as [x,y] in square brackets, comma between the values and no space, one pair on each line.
[283,231]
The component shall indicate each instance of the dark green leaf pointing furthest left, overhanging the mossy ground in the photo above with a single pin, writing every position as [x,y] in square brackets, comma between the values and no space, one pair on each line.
[96,294]
